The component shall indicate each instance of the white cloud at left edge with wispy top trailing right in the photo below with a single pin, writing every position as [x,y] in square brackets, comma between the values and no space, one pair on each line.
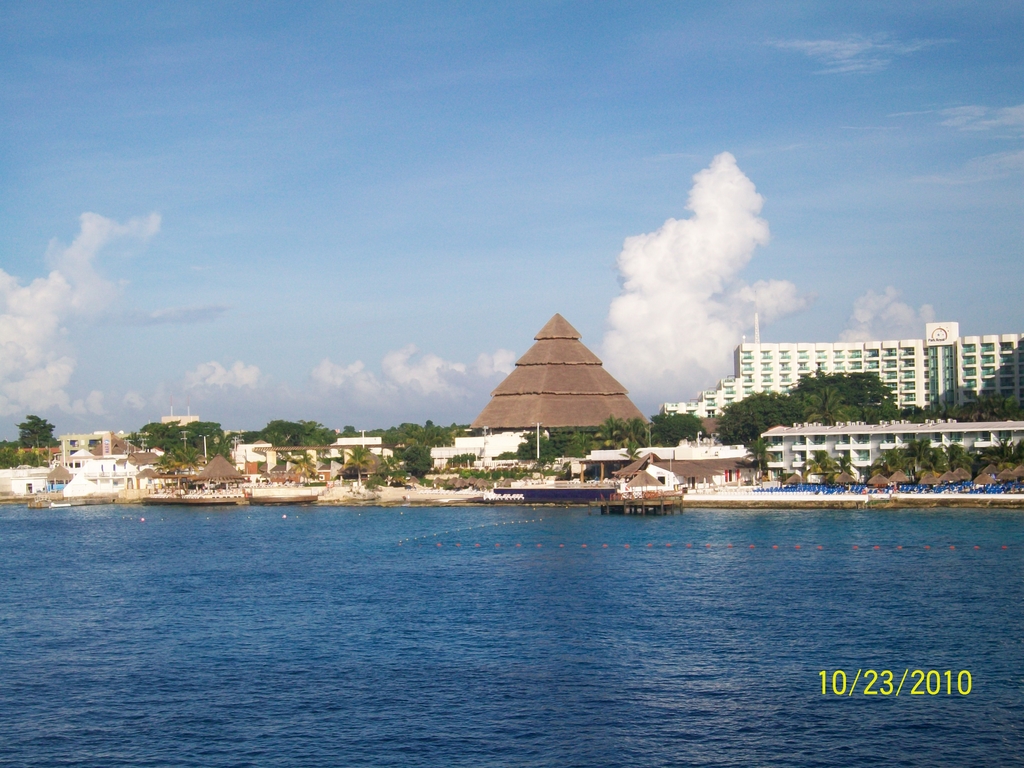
[35,367]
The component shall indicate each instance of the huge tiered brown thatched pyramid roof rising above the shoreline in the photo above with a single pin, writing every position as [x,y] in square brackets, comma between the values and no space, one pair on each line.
[558,383]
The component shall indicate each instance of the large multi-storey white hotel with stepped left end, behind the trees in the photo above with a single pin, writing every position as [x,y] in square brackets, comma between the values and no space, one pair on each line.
[942,369]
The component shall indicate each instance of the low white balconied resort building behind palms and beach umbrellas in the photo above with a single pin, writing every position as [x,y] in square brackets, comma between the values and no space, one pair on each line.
[790,449]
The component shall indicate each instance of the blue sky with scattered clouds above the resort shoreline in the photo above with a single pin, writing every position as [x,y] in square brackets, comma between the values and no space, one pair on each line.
[358,214]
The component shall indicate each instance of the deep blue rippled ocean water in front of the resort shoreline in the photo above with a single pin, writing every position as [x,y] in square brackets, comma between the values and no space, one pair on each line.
[348,637]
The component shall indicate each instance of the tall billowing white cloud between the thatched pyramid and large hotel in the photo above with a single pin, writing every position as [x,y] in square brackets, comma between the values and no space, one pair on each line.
[684,308]
